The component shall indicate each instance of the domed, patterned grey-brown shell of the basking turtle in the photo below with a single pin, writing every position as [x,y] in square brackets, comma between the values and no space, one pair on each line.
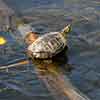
[48,45]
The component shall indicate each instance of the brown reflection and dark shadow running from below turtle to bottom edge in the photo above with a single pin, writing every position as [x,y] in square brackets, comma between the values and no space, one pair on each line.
[53,74]
